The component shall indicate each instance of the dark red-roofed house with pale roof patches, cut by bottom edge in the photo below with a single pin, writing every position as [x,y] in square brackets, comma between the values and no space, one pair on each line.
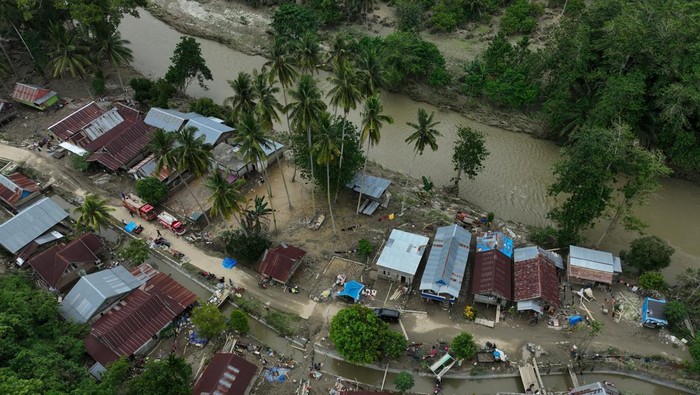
[226,374]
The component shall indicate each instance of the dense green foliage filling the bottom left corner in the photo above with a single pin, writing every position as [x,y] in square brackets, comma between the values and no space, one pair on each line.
[39,352]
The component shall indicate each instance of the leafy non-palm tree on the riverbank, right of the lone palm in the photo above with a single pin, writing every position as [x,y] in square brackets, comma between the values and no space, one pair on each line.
[469,154]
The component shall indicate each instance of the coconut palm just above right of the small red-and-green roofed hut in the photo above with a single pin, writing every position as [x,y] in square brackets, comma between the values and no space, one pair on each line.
[69,55]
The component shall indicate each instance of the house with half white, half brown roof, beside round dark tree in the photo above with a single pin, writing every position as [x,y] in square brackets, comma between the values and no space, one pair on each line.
[591,266]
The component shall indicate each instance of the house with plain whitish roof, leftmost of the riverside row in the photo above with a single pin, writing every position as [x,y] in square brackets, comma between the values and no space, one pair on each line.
[401,256]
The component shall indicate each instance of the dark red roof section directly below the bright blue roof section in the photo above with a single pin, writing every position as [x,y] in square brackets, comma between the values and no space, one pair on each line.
[492,274]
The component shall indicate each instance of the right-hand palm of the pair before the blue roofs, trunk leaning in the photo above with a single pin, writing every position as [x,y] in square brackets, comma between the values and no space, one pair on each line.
[192,154]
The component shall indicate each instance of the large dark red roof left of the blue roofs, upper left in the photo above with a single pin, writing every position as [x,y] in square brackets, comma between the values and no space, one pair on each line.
[123,143]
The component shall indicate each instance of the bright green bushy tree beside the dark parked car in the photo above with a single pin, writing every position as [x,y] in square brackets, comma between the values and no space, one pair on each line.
[360,337]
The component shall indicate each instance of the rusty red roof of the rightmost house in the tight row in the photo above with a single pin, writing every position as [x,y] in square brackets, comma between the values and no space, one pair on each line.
[536,278]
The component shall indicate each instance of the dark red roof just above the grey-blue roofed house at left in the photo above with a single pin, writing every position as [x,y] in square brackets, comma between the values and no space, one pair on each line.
[51,264]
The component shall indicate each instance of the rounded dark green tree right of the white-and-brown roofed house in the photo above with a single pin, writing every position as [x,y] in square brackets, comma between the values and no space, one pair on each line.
[648,253]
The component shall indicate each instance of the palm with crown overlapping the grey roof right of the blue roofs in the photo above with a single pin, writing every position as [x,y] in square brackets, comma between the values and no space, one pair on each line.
[251,138]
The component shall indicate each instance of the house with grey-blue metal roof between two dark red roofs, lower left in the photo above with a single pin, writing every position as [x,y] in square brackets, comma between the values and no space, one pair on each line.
[95,292]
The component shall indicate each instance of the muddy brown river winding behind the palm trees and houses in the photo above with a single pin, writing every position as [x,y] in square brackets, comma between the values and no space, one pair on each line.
[514,182]
